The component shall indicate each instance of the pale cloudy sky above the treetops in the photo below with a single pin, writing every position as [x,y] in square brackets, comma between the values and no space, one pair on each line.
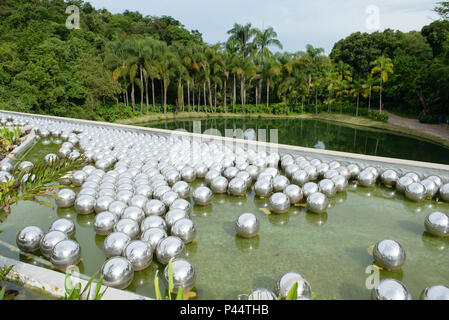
[297,22]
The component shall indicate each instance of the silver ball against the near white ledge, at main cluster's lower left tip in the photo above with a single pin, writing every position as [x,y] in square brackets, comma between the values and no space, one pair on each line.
[117,272]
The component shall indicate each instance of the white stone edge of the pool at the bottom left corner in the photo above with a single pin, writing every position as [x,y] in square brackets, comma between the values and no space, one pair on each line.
[51,282]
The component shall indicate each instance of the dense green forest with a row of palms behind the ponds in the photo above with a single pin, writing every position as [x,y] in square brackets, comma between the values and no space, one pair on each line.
[120,65]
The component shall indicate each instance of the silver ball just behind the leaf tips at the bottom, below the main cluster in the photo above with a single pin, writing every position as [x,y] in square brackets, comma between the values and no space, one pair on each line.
[184,275]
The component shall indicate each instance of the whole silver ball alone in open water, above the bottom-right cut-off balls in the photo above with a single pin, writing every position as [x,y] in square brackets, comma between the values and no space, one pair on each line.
[389,254]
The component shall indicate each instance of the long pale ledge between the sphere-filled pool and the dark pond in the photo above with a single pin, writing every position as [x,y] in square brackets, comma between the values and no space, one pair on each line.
[400,165]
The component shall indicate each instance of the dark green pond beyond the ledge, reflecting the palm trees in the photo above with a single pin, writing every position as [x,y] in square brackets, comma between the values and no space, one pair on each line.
[323,135]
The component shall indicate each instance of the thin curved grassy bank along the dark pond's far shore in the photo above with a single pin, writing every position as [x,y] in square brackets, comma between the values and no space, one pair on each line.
[364,122]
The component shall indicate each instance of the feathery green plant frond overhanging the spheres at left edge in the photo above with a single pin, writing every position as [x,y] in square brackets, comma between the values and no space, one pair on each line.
[35,183]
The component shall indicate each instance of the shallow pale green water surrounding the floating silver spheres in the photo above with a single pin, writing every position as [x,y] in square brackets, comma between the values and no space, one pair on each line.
[330,250]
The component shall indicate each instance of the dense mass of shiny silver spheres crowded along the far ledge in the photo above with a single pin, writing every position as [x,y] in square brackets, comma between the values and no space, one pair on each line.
[138,185]
